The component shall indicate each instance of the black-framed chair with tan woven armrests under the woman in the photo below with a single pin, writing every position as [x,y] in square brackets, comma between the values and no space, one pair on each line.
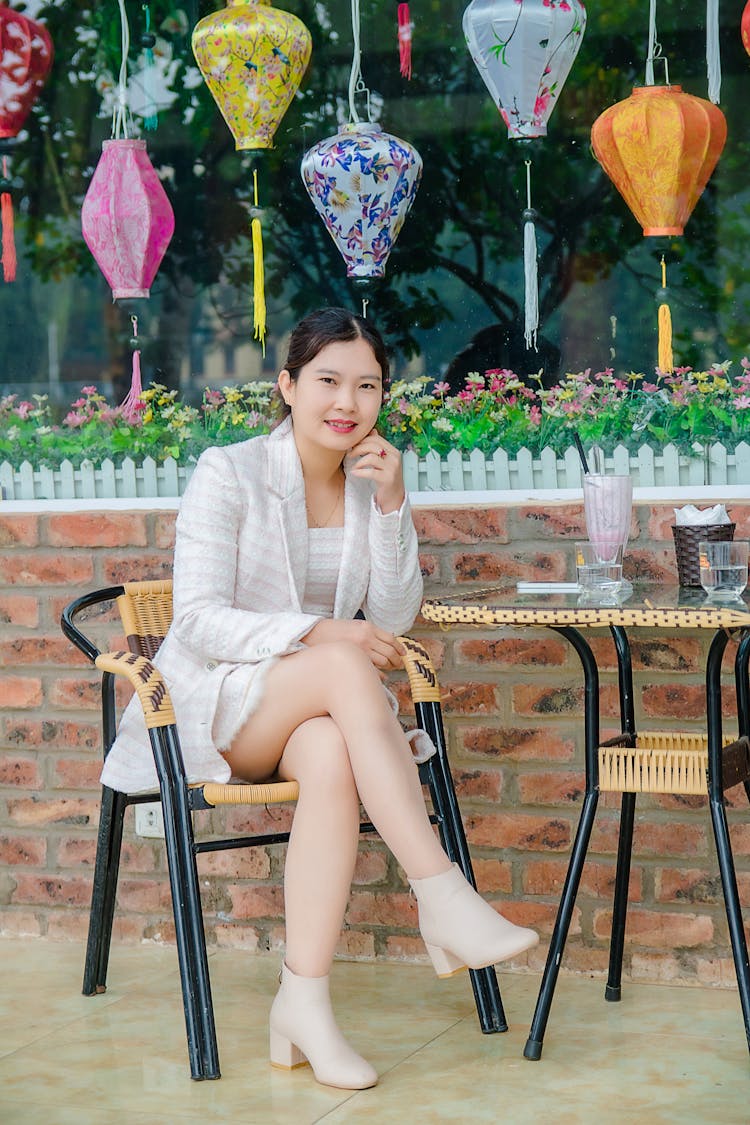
[146,610]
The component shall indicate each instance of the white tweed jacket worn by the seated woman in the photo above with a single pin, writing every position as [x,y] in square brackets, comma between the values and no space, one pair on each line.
[240,570]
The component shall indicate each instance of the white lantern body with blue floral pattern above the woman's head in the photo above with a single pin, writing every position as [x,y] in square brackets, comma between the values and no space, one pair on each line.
[363,183]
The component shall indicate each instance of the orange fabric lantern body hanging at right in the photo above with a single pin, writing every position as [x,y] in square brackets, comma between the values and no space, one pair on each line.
[659,148]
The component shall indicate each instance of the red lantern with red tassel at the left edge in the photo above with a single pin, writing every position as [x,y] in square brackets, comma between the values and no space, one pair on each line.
[26,58]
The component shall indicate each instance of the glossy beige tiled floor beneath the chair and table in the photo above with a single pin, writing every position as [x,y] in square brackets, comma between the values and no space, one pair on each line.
[663,1055]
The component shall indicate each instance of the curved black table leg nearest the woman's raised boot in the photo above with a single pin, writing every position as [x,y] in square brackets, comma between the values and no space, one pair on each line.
[534,1049]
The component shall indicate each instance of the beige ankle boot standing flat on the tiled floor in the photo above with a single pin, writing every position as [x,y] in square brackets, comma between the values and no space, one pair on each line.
[304,1028]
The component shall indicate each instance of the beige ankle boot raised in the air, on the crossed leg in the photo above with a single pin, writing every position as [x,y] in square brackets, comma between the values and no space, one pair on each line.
[460,930]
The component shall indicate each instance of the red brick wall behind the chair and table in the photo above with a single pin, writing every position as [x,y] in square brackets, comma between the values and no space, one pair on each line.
[513,707]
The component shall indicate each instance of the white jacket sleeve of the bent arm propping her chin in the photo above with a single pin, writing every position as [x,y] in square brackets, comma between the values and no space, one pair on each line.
[395,591]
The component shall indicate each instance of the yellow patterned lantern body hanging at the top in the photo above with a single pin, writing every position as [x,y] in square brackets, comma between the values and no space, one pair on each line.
[254,59]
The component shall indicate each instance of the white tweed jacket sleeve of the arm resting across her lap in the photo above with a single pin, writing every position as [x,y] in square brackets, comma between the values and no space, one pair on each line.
[213,511]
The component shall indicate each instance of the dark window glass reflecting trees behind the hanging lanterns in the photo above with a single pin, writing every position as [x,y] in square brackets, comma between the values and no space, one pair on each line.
[453,300]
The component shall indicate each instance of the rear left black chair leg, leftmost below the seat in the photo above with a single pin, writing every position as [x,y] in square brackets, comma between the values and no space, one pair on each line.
[110,843]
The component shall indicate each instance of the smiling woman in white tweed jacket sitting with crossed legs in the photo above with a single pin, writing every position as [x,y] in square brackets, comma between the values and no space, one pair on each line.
[281,542]
